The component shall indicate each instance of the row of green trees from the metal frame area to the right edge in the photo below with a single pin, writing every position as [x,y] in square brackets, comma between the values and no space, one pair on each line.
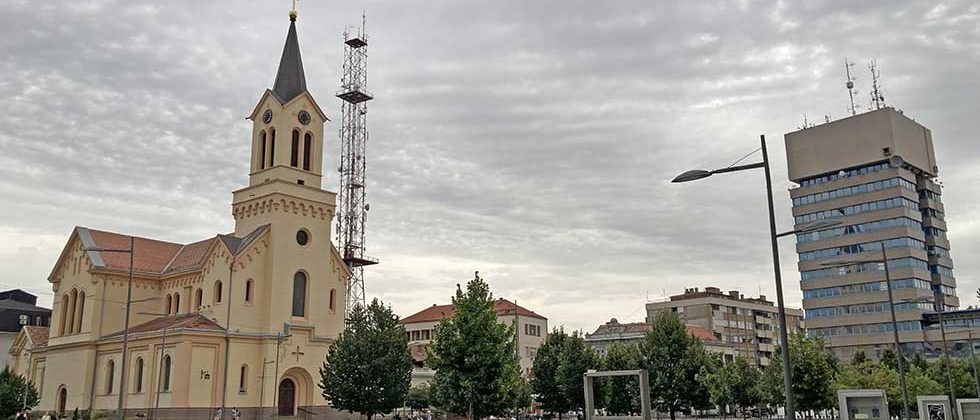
[684,377]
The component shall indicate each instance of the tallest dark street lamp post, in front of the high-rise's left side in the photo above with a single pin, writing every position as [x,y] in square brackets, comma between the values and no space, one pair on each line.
[694,175]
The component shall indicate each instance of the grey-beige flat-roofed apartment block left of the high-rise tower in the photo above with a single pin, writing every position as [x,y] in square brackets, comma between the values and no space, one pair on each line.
[749,325]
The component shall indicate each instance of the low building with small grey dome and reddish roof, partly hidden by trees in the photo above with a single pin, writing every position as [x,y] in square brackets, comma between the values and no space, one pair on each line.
[632,333]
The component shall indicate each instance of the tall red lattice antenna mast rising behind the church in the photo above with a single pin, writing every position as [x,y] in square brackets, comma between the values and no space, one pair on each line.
[353,207]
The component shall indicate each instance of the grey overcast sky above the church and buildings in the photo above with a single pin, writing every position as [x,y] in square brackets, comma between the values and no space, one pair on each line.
[532,141]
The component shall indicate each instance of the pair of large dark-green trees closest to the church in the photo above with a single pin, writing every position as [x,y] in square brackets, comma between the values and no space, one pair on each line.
[477,368]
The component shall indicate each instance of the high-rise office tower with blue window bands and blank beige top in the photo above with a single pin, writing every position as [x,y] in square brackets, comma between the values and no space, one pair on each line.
[875,174]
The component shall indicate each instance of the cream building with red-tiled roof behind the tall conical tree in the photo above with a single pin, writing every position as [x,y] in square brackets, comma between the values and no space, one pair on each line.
[531,329]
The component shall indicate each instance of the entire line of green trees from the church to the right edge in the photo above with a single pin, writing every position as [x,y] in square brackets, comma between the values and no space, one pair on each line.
[477,370]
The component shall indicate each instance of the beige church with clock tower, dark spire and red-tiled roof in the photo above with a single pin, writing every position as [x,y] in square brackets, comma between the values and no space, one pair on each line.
[239,320]
